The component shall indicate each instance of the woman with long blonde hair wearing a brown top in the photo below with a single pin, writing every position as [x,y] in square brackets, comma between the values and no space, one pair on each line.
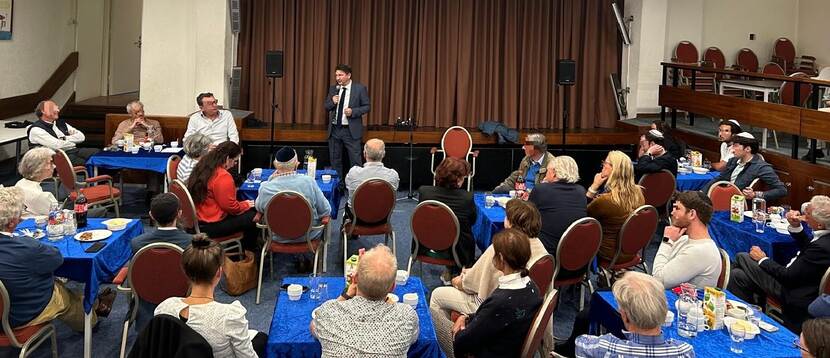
[620,199]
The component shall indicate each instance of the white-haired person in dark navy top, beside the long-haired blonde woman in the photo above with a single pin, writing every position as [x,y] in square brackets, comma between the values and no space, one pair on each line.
[560,200]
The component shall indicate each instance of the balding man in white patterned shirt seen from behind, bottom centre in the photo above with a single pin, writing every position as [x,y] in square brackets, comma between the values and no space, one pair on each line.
[361,322]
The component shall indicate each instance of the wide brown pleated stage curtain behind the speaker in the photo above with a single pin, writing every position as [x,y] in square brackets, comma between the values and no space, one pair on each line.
[443,62]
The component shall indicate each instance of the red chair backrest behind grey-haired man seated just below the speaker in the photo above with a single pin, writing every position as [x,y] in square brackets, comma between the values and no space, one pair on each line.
[374,200]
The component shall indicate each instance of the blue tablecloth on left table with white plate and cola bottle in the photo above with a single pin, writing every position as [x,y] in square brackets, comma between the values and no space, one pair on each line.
[92,268]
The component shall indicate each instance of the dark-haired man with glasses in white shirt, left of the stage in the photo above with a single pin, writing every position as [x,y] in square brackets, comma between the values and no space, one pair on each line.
[218,124]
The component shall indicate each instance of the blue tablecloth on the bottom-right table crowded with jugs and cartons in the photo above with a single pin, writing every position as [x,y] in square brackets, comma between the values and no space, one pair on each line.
[706,344]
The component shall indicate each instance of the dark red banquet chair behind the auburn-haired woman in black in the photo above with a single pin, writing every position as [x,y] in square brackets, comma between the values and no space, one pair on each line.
[434,226]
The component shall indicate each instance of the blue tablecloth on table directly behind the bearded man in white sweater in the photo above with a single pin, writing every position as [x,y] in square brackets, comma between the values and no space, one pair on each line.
[740,237]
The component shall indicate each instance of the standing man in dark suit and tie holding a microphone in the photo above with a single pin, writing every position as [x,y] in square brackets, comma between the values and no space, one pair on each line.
[346,103]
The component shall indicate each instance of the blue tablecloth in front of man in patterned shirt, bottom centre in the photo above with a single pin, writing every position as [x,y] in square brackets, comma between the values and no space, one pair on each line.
[289,335]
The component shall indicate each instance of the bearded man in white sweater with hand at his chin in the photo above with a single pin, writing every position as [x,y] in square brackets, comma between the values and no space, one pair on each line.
[687,253]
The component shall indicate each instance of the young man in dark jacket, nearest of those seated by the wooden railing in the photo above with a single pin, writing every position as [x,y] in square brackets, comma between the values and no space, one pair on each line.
[746,166]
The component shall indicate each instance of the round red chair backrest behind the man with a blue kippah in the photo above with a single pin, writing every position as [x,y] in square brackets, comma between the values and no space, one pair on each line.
[289,215]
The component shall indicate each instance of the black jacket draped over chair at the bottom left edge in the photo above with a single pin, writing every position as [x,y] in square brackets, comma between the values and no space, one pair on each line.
[168,336]
